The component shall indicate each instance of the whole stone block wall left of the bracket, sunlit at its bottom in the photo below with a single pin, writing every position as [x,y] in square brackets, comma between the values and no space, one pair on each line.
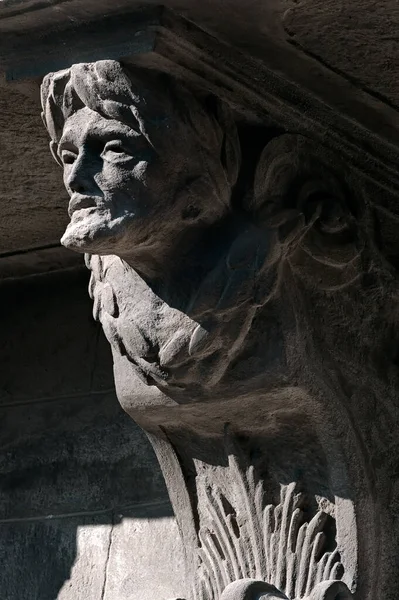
[84,512]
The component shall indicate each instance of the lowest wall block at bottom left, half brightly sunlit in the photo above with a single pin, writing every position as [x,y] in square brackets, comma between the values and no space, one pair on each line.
[88,557]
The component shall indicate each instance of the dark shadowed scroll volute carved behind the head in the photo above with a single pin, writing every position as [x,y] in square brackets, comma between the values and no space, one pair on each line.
[298,191]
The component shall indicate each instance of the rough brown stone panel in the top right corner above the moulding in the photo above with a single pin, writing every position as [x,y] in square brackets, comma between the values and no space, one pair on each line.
[355,39]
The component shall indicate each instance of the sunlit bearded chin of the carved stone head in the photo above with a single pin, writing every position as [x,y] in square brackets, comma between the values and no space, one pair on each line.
[95,233]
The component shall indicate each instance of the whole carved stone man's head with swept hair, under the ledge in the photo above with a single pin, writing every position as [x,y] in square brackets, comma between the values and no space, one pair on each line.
[143,159]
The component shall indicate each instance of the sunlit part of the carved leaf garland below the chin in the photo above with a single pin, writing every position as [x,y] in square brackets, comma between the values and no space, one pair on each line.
[137,323]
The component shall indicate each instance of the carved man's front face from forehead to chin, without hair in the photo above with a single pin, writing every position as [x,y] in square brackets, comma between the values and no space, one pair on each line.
[105,173]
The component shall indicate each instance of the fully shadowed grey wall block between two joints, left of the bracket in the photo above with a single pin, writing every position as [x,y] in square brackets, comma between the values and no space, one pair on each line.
[73,455]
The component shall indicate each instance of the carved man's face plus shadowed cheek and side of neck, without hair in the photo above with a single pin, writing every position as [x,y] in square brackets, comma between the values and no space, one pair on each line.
[125,191]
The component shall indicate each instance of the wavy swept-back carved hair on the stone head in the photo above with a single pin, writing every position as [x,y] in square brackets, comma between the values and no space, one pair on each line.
[149,102]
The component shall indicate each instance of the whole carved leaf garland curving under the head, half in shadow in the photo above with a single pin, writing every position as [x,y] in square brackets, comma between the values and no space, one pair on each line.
[169,346]
